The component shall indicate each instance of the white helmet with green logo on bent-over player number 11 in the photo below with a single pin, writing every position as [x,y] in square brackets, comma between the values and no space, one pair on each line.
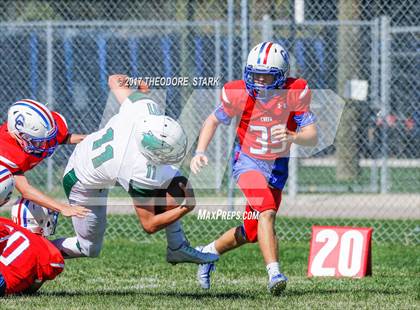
[162,140]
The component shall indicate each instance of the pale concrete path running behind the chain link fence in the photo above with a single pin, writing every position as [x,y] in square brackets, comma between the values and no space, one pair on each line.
[358,206]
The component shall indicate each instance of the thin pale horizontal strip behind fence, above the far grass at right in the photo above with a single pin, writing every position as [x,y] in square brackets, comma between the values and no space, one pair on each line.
[366,163]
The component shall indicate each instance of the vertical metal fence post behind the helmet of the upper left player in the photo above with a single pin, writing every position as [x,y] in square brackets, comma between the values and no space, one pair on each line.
[50,95]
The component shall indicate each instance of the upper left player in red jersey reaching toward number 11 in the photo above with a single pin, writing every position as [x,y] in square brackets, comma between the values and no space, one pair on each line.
[31,134]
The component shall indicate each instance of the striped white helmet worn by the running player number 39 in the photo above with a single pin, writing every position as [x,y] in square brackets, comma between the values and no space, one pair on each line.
[266,59]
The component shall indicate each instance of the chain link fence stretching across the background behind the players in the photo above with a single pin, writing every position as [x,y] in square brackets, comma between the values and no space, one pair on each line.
[62,53]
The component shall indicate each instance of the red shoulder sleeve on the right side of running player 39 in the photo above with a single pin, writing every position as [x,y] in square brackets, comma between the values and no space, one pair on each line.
[300,95]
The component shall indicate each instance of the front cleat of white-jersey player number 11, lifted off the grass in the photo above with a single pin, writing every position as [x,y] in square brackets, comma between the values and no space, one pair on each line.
[186,254]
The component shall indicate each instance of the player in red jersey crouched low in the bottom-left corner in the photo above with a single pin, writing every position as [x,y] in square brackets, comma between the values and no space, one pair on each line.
[27,259]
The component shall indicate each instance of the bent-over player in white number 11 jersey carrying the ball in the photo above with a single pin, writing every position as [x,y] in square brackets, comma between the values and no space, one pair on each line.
[135,149]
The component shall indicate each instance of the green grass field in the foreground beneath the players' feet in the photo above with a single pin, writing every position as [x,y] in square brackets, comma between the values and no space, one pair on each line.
[135,275]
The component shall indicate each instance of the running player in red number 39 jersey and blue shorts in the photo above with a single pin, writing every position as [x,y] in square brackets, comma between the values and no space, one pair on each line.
[272,112]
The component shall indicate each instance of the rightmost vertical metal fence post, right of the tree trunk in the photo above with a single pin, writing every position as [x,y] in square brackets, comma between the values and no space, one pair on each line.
[384,100]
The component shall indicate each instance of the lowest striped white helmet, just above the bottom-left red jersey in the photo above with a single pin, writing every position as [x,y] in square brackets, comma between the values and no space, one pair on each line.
[37,219]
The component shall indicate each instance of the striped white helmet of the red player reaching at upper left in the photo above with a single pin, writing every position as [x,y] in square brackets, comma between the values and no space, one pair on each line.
[34,127]
